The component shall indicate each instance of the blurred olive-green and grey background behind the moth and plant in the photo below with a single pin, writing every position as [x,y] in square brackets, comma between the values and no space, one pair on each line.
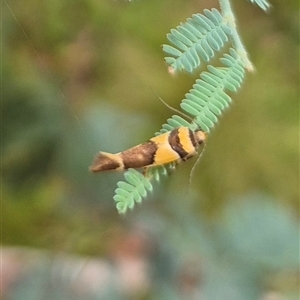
[77,77]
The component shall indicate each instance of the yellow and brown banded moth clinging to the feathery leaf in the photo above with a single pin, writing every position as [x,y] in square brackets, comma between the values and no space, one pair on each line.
[175,146]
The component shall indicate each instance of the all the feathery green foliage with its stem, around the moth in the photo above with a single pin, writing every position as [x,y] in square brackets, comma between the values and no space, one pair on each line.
[197,40]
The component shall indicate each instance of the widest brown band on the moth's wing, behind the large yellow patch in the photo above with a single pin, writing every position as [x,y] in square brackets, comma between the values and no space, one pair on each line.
[139,156]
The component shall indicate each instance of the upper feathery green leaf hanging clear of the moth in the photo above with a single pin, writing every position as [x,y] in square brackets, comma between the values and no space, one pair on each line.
[195,40]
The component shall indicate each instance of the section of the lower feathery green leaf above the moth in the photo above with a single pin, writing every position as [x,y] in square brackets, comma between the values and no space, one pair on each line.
[207,99]
